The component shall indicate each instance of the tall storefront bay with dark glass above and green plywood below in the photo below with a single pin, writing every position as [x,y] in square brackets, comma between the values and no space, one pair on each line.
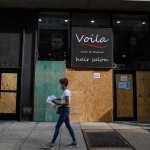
[50,64]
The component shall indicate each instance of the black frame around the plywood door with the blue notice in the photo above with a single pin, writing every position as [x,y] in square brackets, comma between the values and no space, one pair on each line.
[115,118]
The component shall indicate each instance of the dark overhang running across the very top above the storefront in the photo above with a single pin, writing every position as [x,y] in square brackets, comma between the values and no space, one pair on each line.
[79,4]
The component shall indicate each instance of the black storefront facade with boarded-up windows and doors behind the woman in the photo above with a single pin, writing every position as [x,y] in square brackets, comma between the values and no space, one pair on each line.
[38,44]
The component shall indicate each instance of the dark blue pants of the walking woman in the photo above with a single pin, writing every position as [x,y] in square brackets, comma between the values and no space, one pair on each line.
[64,117]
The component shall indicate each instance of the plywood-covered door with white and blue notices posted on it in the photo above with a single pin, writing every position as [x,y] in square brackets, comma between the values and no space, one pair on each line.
[125,106]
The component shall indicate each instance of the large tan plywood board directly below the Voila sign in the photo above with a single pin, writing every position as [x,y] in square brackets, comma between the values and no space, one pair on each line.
[91,98]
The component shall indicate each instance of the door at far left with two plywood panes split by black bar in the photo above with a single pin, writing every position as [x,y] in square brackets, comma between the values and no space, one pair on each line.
[8,95]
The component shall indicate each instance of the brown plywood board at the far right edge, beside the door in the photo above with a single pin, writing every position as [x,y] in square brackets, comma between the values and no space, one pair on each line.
[143,95]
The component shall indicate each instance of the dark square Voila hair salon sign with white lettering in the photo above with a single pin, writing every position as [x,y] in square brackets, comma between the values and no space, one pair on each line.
[91,47]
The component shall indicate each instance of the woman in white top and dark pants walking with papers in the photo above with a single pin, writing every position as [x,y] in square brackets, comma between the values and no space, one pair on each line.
[63,111]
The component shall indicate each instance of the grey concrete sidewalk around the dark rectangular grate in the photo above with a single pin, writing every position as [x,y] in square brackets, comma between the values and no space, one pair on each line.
[30,135]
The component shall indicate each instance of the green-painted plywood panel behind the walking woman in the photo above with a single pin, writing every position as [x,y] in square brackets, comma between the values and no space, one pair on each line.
[47,75]
